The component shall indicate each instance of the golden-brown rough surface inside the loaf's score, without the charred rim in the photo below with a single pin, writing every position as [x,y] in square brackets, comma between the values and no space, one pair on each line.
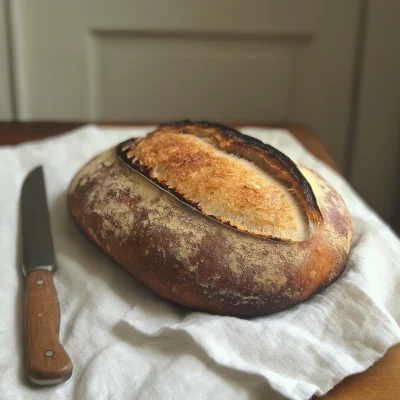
[225,186]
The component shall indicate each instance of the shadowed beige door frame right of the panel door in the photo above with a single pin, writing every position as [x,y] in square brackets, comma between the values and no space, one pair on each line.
[374,167]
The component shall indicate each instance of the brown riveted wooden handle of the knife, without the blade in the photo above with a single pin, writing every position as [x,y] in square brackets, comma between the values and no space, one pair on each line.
[47,362]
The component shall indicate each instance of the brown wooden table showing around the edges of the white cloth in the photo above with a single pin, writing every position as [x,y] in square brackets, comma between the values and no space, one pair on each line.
[381,381]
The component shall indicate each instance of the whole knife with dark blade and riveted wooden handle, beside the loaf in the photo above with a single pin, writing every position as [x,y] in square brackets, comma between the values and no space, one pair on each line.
[47,363]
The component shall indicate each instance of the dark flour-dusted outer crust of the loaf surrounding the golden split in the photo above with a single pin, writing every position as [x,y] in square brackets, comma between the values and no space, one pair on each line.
[196,260]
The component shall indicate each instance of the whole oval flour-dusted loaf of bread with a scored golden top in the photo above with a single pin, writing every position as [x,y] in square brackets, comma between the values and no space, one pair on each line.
[213,220]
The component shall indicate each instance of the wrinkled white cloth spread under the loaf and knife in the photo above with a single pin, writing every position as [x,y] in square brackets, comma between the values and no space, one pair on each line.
[127,343]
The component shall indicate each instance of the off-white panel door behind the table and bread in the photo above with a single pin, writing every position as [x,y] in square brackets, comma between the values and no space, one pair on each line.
[164,60]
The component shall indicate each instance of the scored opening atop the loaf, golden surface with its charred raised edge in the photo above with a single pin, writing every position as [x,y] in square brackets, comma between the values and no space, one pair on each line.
[227,178]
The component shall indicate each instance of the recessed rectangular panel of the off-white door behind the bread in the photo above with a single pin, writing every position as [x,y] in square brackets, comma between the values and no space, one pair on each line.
[180,75]
